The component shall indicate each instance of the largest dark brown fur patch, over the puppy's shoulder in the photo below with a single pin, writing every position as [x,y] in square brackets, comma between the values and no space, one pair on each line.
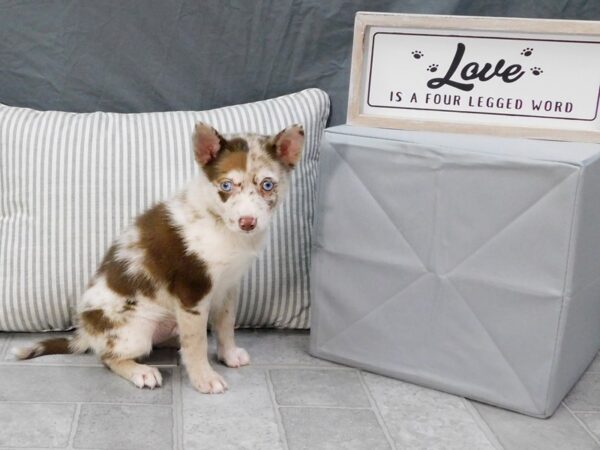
[167,260]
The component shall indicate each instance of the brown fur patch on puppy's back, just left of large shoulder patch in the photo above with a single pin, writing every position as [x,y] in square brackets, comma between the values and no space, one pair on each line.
[119,280]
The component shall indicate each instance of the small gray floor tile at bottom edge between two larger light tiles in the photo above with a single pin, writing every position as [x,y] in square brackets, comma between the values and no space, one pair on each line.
[332,428]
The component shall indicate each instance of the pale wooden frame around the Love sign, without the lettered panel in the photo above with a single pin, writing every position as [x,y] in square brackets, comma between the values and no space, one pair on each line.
[453,25]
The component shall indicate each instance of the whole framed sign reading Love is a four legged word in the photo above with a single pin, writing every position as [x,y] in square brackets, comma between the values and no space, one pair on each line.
[512,77]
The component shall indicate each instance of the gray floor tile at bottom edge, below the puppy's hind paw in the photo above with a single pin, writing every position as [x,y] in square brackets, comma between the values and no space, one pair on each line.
[127,427]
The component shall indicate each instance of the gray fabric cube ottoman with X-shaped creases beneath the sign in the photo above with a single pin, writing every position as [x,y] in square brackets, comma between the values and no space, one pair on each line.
[467,264]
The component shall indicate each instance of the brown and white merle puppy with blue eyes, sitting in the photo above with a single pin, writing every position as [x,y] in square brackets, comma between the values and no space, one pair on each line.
[182,261]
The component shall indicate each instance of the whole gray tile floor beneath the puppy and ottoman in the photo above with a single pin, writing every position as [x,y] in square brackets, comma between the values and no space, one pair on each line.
[285,400]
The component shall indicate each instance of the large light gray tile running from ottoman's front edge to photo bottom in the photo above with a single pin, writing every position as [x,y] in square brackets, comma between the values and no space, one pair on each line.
[421,418]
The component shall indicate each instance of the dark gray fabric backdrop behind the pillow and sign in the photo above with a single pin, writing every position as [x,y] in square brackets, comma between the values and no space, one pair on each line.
[158,55]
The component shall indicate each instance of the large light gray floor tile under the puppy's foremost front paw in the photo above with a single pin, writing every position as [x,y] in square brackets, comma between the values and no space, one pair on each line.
[242,418]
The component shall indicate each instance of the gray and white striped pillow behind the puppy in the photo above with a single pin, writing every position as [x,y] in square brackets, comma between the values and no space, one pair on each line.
[69,183]
